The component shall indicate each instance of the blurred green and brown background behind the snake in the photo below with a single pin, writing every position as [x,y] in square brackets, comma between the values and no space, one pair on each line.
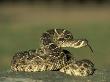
[23,21]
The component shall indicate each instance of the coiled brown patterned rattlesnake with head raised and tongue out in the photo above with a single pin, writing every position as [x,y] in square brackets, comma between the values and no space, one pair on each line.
[51,56]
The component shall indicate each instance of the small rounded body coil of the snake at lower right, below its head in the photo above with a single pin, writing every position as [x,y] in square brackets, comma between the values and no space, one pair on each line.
[79,68]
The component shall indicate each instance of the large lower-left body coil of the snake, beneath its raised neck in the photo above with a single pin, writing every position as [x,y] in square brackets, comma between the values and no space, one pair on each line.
[30,61]
